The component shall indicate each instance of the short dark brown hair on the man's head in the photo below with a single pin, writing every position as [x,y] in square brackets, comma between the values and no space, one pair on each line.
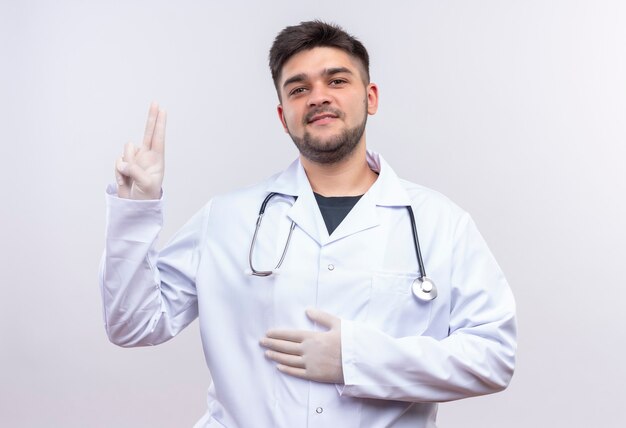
[311,34]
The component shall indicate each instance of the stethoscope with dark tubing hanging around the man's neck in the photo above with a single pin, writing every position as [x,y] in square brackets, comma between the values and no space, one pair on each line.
[423,287]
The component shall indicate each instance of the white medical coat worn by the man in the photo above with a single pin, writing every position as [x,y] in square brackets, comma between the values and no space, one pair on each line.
[400,355]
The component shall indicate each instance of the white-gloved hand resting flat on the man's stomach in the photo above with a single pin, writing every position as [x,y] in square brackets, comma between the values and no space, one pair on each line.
[312,355]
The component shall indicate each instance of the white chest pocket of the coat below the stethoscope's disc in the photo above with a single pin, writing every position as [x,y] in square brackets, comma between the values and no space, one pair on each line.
[394,309]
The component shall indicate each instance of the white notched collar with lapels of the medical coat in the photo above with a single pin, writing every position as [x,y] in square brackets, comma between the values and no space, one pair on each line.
[386,191]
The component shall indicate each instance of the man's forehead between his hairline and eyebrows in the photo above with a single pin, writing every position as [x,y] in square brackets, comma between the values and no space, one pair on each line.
[313,62]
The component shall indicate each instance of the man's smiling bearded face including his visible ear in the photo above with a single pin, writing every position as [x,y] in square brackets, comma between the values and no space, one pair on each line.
[325,102]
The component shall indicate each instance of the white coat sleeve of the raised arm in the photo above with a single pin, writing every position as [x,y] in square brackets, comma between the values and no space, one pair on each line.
[148,296]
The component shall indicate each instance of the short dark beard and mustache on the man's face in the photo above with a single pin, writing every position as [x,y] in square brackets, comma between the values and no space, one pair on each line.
[333,149]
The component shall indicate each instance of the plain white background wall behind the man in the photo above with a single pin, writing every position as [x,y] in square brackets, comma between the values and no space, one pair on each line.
[514,109]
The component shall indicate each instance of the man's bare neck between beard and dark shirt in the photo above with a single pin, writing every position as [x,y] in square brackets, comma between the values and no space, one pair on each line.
[350,177]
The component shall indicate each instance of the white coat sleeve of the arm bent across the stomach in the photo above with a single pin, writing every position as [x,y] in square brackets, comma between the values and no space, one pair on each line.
[477,357]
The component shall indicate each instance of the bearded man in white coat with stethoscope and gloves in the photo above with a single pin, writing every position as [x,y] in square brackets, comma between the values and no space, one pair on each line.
[324,289]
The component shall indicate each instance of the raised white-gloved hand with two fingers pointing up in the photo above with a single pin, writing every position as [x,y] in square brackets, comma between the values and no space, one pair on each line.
[139,172]
